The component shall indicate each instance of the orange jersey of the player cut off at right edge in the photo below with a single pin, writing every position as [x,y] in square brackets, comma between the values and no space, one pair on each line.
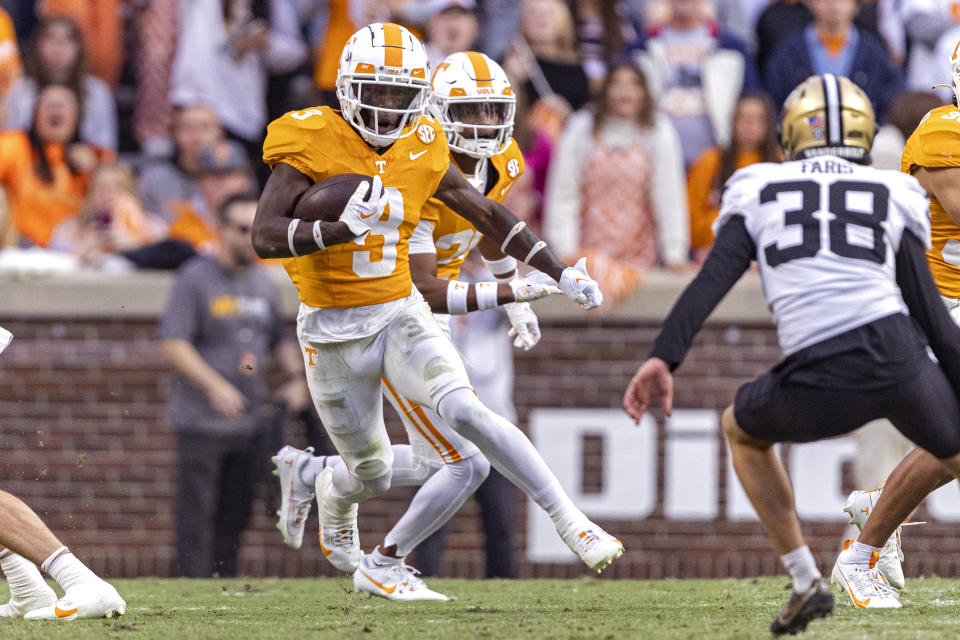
[936,143]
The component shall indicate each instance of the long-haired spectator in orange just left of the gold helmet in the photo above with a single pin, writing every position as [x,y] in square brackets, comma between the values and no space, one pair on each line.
[754,139]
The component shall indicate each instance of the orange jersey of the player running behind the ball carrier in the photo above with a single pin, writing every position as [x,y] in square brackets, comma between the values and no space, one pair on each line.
[453,236]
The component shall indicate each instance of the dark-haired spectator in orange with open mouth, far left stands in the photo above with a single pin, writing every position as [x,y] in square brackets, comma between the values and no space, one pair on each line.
[46,170]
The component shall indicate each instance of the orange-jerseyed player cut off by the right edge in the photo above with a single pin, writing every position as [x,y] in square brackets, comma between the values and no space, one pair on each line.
[932,155]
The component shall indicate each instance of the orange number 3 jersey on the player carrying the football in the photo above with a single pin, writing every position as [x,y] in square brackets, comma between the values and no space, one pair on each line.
[319,143]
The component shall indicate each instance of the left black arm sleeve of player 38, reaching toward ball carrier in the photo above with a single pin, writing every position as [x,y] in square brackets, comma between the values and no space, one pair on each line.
[729,258]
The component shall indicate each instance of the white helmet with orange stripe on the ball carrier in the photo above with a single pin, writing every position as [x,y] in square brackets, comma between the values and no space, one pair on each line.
[382,82]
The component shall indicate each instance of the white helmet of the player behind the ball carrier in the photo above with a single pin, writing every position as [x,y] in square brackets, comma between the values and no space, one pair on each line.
[474,102]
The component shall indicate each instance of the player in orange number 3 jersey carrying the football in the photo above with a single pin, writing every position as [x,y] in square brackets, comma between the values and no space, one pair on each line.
[361,319]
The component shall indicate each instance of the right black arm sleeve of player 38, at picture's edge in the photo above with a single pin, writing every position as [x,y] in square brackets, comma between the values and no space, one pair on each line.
[926,306]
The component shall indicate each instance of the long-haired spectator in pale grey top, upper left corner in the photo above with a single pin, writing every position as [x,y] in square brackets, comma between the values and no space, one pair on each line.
[57,56]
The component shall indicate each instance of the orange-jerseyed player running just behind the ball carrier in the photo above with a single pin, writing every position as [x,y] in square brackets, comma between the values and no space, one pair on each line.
[474,102]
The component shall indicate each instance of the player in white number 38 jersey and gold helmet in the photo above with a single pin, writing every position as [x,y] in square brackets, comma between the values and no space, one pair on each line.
[833,239]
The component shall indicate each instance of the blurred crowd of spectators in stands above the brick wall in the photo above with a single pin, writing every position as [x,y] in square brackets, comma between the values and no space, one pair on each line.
[128,123]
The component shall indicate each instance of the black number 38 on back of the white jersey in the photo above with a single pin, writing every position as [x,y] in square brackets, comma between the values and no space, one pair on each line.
[869,218]
